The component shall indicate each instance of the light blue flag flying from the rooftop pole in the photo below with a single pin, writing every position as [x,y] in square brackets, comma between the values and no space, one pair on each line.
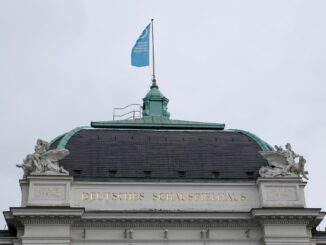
[140,51]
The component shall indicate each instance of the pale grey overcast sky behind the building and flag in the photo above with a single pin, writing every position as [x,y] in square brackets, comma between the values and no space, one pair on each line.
[254,65]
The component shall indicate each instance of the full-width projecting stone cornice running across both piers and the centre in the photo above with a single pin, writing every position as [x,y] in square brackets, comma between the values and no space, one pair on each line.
[79,218]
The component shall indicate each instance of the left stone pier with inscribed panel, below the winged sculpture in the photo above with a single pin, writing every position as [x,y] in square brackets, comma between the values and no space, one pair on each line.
[45,214]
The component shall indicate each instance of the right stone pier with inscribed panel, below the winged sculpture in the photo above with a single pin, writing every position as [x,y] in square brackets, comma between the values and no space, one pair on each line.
[283,216]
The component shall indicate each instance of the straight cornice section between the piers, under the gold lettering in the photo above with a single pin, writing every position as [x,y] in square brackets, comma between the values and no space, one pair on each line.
[165,219]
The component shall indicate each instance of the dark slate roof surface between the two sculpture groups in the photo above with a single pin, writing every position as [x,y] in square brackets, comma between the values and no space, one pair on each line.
[159,154]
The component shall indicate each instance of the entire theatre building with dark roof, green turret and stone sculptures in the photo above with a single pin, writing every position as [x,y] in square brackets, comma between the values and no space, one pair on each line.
[154,180]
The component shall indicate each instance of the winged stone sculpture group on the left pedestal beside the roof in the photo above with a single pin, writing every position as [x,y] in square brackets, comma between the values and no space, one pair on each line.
[44,161]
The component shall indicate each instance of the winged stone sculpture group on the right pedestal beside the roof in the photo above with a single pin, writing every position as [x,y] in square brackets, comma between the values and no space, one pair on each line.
[283,163]
